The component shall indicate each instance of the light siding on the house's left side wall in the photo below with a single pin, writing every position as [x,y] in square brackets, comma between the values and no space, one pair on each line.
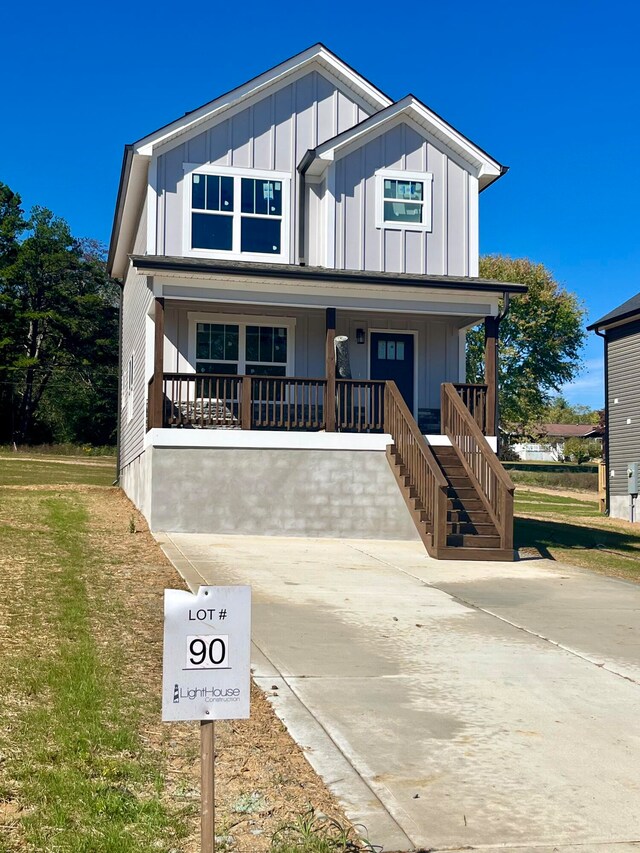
[136,301]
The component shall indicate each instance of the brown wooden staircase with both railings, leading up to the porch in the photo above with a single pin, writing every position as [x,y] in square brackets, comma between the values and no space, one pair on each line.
[459,496]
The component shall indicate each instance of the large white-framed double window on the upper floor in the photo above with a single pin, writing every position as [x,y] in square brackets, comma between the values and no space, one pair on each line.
[241,214]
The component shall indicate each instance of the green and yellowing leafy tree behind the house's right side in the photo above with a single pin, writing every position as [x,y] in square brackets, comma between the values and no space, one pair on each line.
[540,340]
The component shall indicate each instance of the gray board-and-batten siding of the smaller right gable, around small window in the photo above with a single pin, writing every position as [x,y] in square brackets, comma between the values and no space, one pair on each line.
[450,248]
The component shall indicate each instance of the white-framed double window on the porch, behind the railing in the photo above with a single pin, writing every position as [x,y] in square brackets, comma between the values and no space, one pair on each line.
[236,345]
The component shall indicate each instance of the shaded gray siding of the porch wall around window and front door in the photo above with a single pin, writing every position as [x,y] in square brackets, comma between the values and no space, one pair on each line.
[438,353]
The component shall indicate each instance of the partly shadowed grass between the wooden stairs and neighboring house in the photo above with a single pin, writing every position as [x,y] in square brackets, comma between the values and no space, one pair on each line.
[571,530]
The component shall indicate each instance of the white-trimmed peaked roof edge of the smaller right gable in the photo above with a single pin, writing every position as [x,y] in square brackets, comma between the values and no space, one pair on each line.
[488,169]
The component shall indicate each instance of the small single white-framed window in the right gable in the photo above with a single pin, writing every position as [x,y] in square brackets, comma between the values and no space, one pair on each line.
[404,200]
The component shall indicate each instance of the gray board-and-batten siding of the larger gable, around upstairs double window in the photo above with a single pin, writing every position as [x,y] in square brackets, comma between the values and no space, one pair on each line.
[272,134]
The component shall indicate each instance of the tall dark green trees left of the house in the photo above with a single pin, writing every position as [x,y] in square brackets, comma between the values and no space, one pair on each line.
[59,334]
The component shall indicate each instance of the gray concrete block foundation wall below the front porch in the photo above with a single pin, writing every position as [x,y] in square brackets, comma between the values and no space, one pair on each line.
[274,492]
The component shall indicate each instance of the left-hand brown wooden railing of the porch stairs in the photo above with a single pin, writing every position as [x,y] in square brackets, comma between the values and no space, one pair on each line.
[424,473]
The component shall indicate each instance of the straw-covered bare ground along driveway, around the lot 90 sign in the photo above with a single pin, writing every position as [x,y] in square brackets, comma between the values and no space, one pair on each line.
[262,777]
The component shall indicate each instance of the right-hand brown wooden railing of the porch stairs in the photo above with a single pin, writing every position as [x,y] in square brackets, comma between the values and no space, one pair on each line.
[480,462]
